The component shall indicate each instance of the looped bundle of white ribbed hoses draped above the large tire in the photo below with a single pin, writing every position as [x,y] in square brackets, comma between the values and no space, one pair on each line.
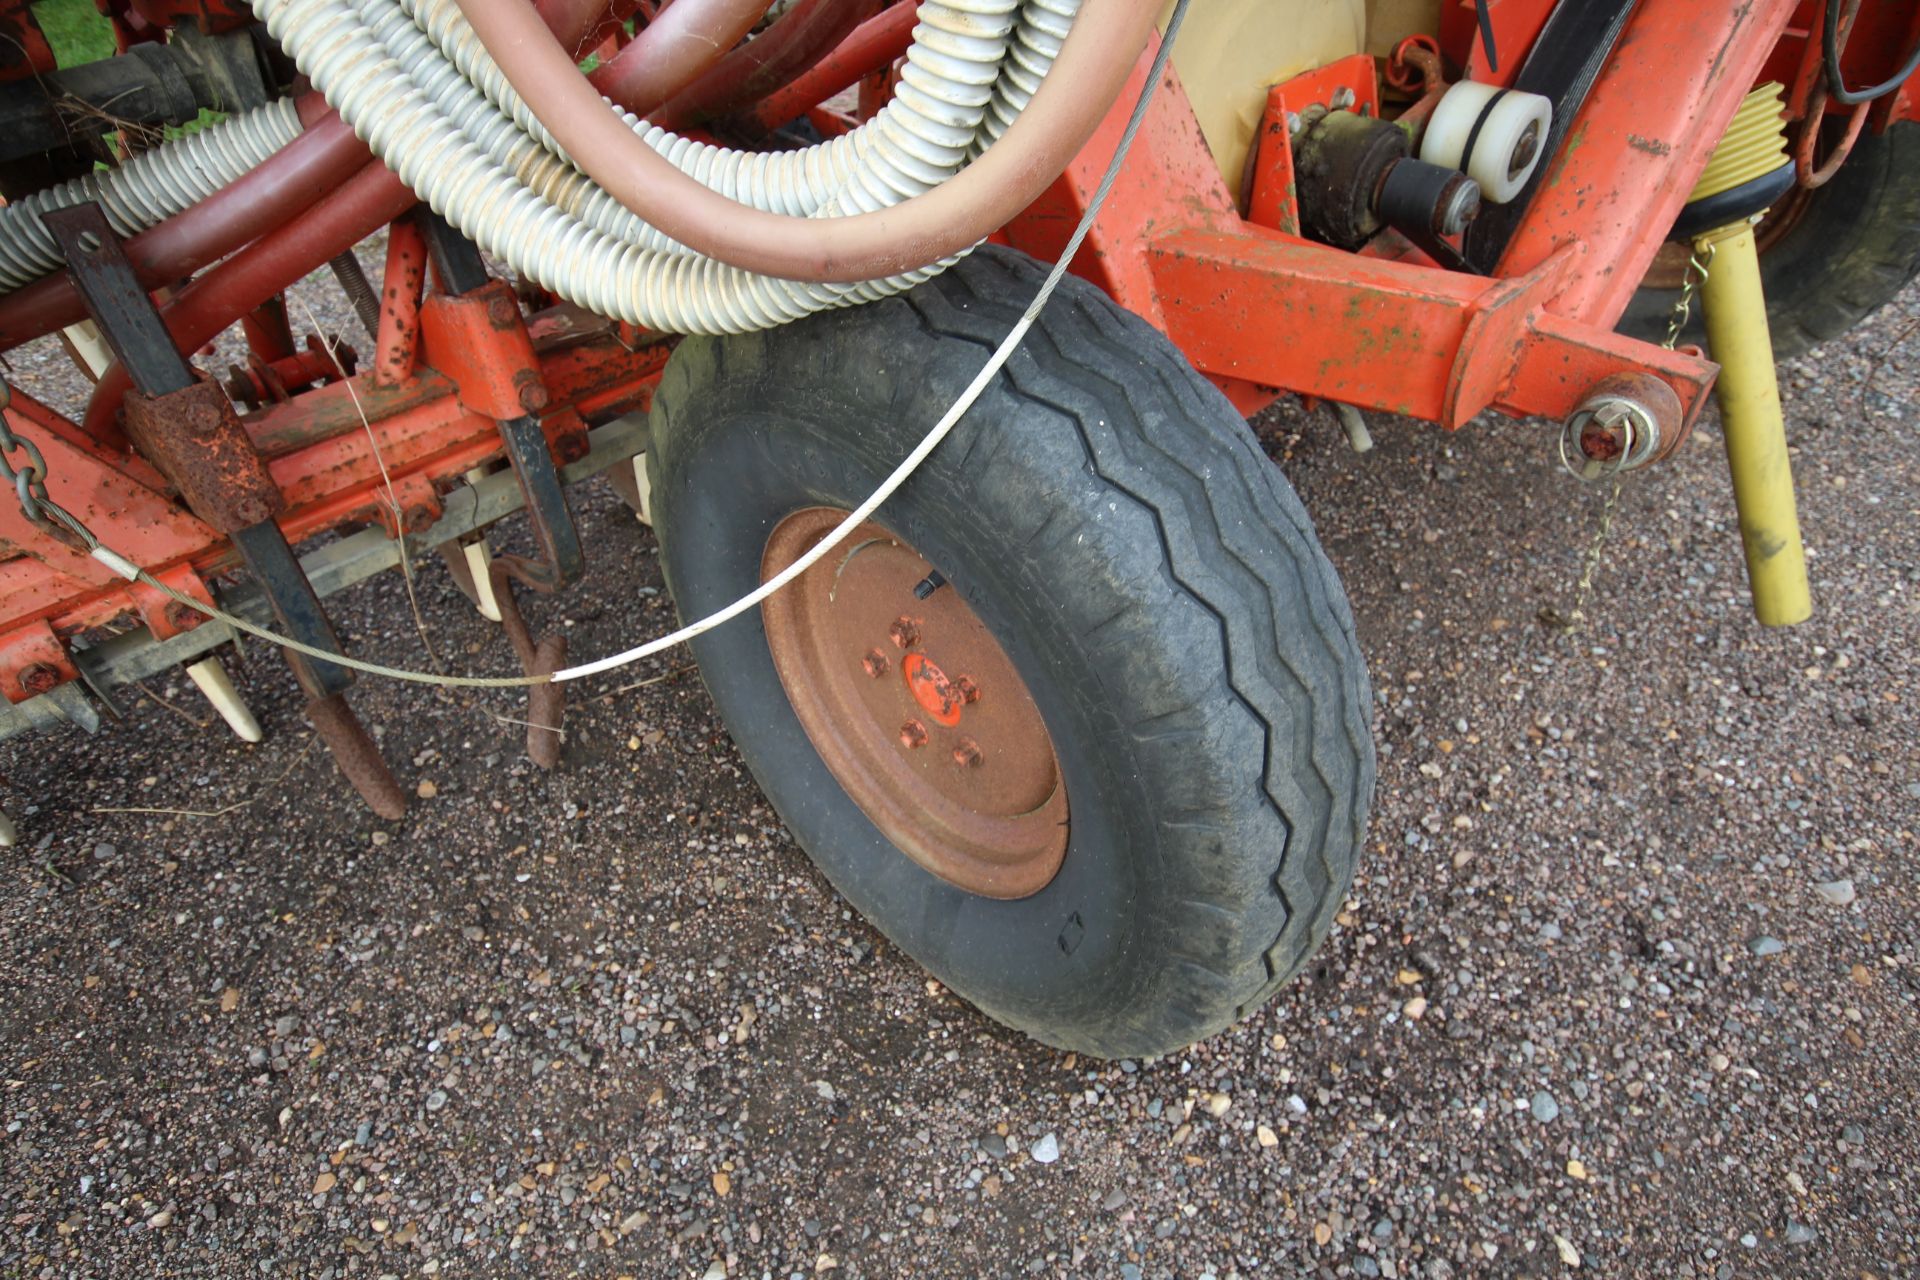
[454,158]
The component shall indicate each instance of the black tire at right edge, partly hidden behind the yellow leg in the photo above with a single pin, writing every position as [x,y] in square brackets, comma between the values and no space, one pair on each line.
[1850,250]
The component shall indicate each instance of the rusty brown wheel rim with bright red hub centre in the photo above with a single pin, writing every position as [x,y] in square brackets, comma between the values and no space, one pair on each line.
[915,709]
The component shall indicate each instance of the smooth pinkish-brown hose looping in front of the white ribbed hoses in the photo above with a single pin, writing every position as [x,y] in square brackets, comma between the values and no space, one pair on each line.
[1093,64]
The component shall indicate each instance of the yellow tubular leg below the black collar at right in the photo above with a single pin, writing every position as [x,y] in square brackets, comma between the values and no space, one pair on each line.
[1756,431]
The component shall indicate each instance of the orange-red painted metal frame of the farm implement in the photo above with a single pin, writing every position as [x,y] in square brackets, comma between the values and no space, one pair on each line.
[1222,272]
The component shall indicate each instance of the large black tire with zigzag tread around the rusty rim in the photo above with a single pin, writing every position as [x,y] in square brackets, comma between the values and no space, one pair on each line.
[1153,579]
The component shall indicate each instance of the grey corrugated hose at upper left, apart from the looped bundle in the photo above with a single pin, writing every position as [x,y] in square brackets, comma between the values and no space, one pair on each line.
[149,189]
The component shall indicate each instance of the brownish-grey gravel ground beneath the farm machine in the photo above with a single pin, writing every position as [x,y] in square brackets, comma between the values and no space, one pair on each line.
[1627,984]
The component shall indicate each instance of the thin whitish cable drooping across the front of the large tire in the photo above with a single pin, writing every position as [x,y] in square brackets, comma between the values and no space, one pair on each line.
[928,444]
